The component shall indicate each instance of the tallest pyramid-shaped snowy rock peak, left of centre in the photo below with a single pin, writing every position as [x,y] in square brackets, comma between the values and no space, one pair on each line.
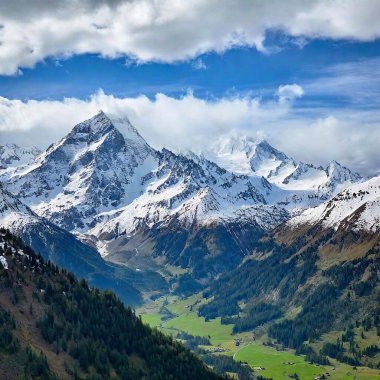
[92,169]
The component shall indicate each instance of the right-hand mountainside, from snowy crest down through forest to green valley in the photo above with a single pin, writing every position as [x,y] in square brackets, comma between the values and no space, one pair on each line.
[318,272]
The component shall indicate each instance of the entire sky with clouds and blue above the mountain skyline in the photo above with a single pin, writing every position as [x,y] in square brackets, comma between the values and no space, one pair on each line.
[303,75]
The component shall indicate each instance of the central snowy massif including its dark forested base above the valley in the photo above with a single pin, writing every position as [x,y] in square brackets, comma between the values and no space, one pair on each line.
[146,209]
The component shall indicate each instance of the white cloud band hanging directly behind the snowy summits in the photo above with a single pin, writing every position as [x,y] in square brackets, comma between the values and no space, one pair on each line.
[351,137]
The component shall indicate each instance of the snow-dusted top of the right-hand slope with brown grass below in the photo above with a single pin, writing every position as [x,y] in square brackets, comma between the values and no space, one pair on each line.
[348,224]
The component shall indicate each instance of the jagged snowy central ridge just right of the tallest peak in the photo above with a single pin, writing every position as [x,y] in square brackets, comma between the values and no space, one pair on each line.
[190,192]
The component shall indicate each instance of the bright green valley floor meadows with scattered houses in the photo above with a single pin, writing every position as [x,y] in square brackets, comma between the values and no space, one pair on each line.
[173,315]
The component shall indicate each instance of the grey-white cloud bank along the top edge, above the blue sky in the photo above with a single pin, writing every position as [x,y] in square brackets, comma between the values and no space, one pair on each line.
[169,30]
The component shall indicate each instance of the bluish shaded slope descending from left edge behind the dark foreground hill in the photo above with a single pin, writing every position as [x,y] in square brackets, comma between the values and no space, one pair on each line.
[65,250]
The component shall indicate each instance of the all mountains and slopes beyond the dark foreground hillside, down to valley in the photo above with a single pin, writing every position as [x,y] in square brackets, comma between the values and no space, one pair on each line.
[267,240]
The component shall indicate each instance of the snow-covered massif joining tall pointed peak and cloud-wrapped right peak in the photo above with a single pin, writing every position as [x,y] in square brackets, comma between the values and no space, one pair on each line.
[103,179]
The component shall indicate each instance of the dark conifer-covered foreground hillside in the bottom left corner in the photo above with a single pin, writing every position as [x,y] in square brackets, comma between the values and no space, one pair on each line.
[54,326]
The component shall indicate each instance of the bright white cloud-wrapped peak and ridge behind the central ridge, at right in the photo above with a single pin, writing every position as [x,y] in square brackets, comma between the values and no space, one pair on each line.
[249,156]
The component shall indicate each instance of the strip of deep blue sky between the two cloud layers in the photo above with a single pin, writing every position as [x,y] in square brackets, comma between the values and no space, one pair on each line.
[238,71]
